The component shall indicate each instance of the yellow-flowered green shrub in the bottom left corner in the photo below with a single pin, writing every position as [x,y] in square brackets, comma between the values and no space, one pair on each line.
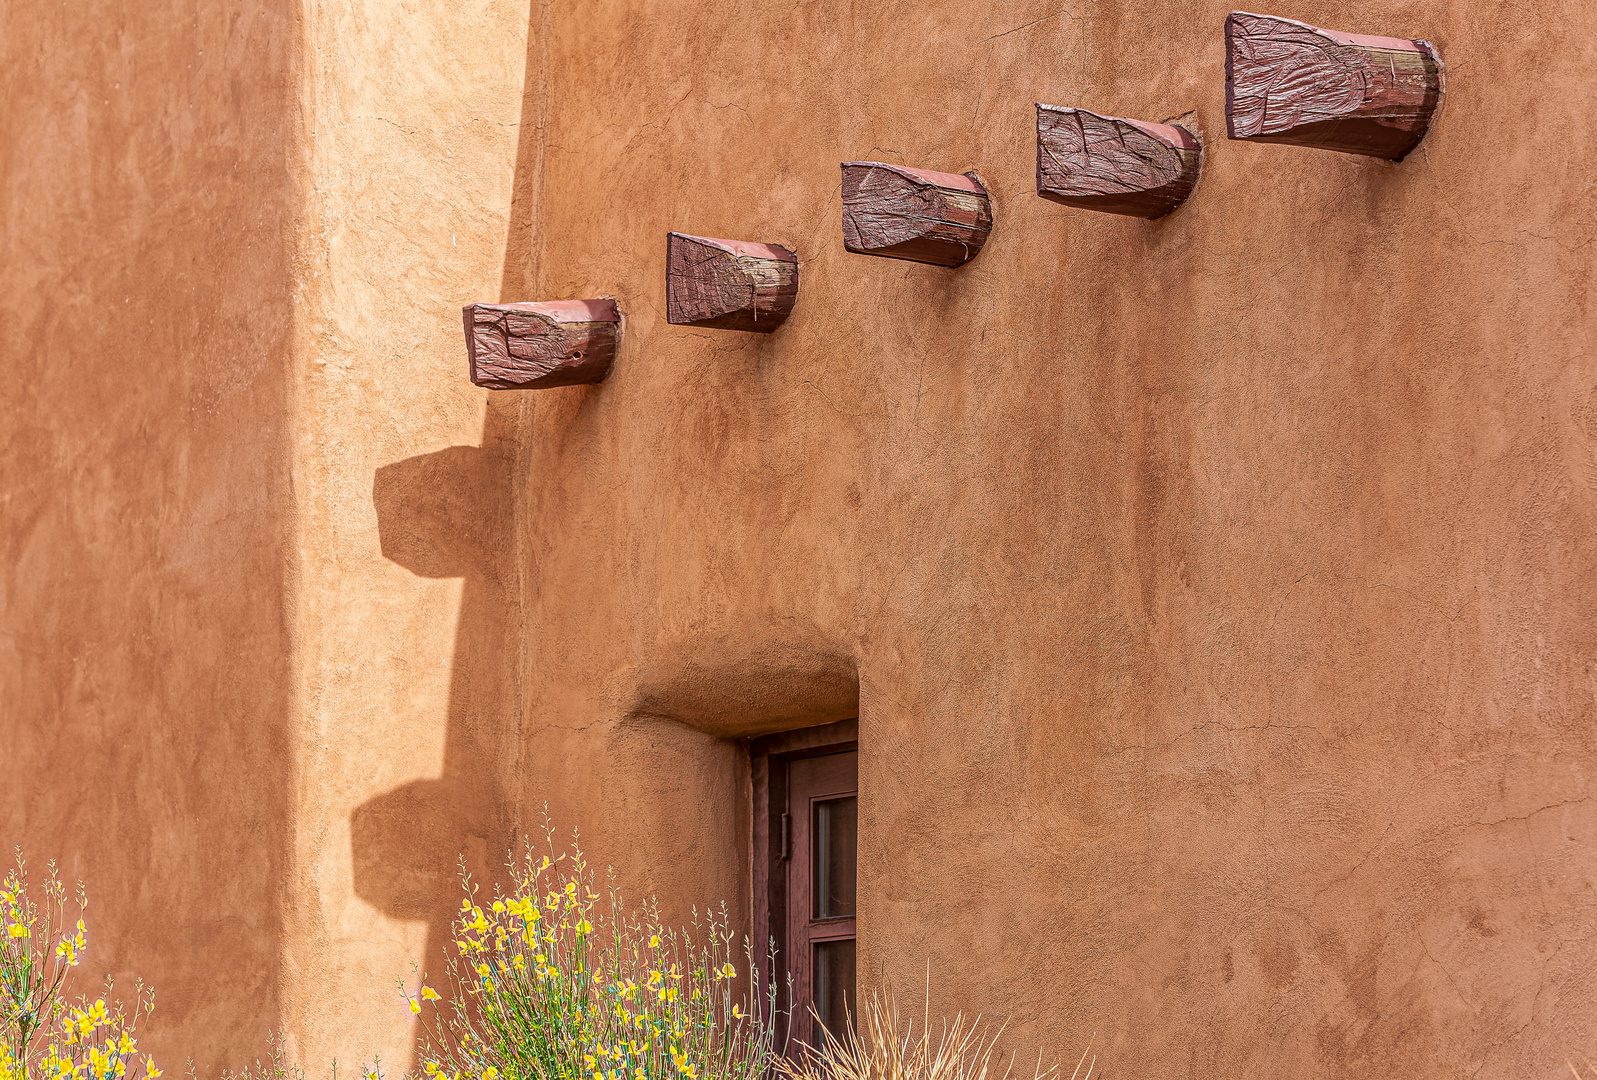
[44,1033]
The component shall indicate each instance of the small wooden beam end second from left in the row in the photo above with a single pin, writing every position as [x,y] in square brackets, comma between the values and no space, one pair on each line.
[731,285]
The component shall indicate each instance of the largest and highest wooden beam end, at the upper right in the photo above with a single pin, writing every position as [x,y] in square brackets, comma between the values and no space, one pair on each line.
[1291,82]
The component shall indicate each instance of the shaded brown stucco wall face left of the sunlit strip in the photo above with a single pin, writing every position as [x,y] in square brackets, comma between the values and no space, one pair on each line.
[146,319]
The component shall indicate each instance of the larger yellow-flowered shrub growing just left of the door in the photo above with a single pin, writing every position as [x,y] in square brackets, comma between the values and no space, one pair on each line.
[550,982]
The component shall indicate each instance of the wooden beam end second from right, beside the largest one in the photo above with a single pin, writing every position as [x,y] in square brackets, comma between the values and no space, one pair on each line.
[1112,164]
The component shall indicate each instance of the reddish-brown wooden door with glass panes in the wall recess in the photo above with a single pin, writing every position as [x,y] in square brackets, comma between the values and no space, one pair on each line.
[823,816]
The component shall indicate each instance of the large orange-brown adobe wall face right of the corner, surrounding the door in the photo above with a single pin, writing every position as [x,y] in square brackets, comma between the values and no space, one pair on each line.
[1218,587]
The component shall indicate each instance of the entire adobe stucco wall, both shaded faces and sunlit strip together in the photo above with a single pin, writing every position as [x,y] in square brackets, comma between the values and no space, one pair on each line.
[1213,592]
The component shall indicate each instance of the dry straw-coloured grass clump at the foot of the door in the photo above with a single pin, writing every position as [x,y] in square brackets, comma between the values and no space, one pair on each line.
[878,1052]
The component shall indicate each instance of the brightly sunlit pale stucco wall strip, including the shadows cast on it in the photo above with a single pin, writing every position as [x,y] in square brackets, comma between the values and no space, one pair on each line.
[406,629]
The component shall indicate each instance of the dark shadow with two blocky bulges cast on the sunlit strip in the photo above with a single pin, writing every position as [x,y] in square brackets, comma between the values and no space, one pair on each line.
[448,515]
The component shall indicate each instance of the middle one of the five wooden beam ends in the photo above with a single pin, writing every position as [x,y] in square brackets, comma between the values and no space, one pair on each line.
[917,215]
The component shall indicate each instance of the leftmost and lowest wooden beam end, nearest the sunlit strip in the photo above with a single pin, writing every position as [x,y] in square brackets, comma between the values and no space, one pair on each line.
[539,346]
